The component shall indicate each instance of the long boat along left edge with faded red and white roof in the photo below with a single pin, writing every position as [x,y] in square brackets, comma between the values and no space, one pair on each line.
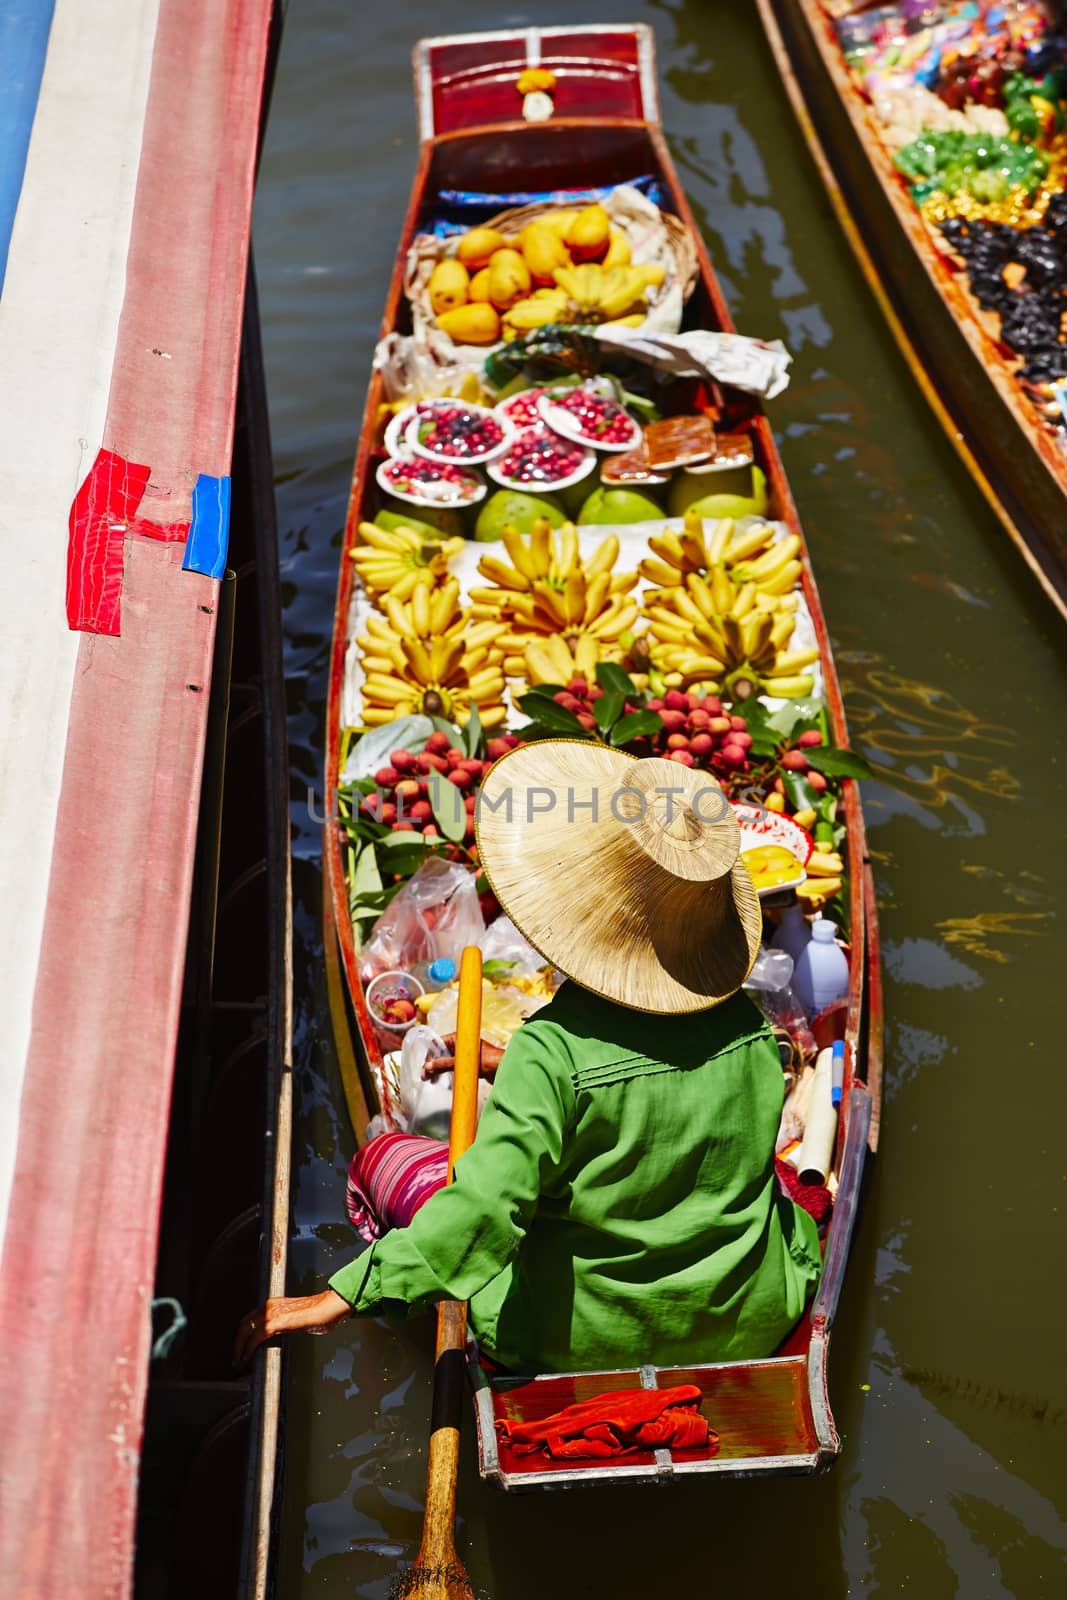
[146,878]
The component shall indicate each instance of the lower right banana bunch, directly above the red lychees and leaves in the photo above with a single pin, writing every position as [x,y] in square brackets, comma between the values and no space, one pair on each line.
[741,649]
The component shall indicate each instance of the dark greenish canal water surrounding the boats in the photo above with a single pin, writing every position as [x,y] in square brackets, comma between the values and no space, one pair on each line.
[949,1374]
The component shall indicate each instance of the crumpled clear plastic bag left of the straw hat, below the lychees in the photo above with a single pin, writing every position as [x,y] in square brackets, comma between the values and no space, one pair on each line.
[438,913]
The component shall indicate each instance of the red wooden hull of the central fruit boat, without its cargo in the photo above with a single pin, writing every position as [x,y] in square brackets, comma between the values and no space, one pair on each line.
[773,1415]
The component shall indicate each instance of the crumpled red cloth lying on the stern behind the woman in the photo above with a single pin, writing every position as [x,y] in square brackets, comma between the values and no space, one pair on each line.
[617,1425]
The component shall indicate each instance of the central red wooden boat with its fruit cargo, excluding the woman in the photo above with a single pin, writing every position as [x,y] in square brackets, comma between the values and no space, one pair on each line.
[438,668]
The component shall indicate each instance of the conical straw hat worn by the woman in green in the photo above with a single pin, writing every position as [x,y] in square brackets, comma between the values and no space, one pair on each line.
[621,873]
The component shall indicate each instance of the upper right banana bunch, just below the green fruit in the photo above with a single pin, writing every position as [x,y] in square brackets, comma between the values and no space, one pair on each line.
[751,556]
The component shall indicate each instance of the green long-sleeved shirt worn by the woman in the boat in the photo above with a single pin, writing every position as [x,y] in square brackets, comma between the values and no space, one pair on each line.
[620,1202]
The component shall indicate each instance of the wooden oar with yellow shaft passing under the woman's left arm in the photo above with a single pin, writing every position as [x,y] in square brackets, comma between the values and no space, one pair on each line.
[438,1572]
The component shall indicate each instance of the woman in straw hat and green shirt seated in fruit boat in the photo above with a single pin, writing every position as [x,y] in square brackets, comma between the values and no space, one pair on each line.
[620,1202]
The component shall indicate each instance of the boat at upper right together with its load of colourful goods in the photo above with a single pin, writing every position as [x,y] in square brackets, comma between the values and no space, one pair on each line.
[937,132]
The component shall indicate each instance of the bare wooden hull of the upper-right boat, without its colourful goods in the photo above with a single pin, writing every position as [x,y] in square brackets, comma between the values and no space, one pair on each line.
[970,378]
